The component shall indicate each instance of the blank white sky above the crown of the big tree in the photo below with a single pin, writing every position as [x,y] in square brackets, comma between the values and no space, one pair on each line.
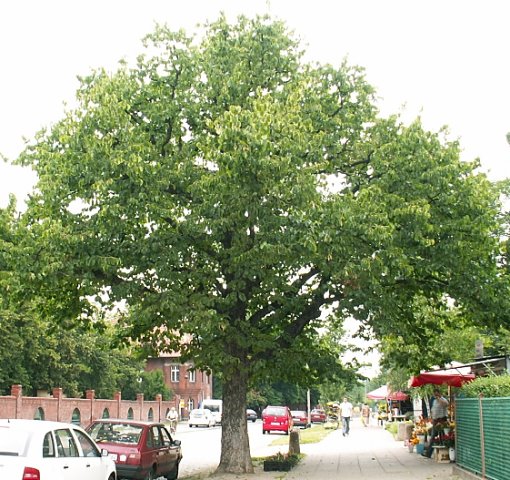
[446,60]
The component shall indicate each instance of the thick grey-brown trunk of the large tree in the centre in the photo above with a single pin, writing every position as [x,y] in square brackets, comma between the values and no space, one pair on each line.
[235,444]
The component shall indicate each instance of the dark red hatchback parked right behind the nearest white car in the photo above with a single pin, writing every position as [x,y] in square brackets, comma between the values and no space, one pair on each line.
[141,450]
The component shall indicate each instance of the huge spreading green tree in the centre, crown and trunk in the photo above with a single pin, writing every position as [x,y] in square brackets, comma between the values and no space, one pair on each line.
[242,202]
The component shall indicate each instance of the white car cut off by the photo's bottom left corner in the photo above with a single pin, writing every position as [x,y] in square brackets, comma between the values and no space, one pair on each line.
[39,450]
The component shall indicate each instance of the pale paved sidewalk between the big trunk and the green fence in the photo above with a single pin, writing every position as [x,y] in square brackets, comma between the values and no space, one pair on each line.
[368,453]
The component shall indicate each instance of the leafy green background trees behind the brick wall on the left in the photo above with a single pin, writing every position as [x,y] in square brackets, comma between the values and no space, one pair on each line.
[40,354]
